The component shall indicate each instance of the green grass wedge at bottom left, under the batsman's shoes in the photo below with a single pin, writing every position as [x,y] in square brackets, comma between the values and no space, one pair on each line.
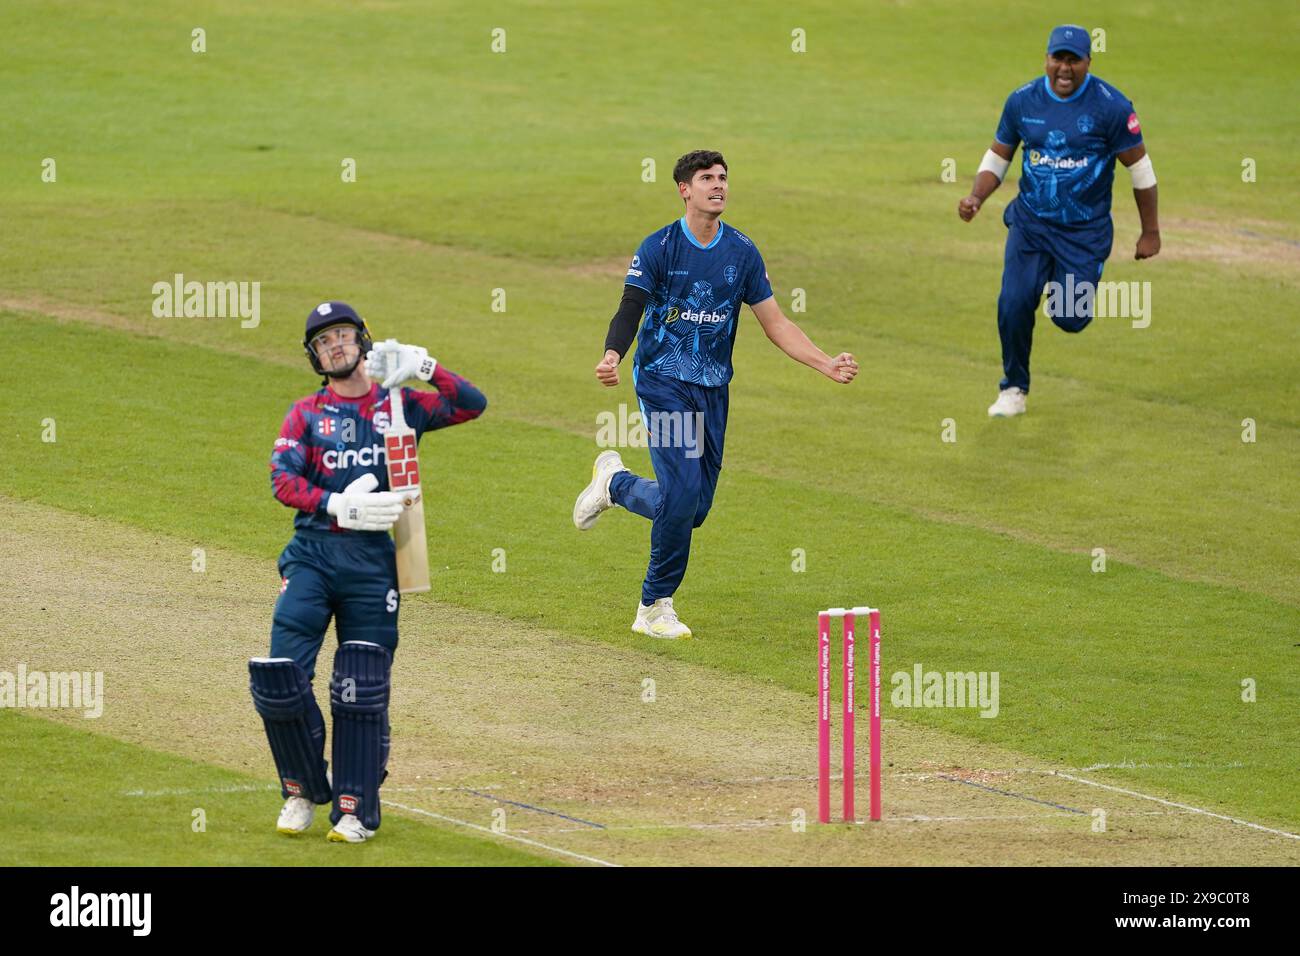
[124,806]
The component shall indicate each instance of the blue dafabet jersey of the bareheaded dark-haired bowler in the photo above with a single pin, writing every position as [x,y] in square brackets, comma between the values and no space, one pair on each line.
[696,292]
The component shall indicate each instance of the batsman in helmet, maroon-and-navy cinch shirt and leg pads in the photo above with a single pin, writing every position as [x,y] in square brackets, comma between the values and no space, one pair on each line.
[330,465]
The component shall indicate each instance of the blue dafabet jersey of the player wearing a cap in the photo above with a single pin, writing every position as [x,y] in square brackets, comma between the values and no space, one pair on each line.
[1071,146]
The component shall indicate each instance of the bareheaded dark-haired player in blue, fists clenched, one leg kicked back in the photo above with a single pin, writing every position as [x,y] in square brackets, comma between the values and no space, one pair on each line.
[684,289]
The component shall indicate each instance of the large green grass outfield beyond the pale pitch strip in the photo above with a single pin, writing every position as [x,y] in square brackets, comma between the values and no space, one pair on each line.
[523,172]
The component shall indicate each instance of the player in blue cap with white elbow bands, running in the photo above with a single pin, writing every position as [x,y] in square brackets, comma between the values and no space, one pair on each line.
[1074,127]
